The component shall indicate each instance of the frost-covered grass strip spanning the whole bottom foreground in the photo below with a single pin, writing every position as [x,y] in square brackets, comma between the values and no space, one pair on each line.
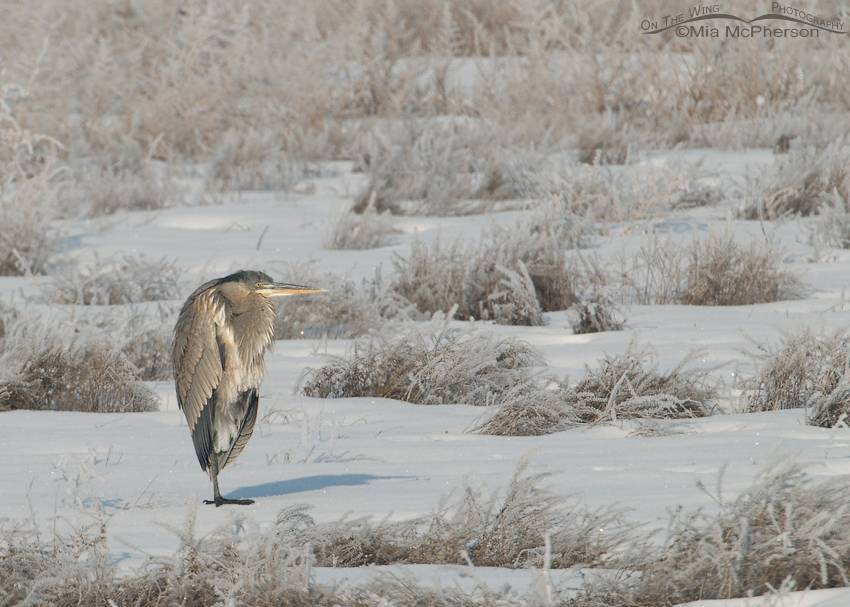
[783,532]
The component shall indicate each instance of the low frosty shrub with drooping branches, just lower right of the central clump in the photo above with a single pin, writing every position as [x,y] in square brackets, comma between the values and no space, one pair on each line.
[624,387]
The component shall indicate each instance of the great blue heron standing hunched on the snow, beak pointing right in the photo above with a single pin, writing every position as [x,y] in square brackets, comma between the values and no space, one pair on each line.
[223,330]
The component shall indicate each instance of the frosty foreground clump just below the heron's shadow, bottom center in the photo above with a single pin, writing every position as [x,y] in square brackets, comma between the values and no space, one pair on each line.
[487,528]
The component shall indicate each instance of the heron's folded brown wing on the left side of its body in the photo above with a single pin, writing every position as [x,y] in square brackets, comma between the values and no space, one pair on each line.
[198,367]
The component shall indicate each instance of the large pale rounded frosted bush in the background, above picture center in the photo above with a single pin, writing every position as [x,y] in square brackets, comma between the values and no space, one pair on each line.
[445,168]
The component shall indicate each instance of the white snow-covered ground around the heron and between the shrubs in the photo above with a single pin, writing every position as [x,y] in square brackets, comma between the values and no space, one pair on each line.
[383,458]
